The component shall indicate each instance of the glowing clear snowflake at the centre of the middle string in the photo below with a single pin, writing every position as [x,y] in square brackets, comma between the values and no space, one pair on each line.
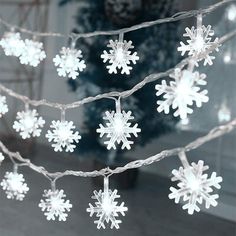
[118,129]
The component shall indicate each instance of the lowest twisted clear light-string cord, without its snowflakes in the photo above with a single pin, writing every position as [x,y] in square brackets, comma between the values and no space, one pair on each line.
[213,134]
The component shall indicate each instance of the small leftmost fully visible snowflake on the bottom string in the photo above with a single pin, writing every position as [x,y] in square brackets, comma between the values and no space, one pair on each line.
[14,186]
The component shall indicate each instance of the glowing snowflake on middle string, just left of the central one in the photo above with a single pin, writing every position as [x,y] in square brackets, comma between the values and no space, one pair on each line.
[63,136]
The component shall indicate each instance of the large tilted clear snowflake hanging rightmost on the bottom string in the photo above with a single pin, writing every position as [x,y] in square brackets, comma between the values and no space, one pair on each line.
[194,187]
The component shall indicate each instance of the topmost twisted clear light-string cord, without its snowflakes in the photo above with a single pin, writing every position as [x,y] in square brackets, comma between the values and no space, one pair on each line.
[176,17]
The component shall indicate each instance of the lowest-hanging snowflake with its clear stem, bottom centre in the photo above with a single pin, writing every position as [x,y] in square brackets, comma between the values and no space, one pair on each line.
[106,207]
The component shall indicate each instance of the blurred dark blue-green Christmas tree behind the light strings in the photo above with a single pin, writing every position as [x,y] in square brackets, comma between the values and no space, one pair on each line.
[156,47]
